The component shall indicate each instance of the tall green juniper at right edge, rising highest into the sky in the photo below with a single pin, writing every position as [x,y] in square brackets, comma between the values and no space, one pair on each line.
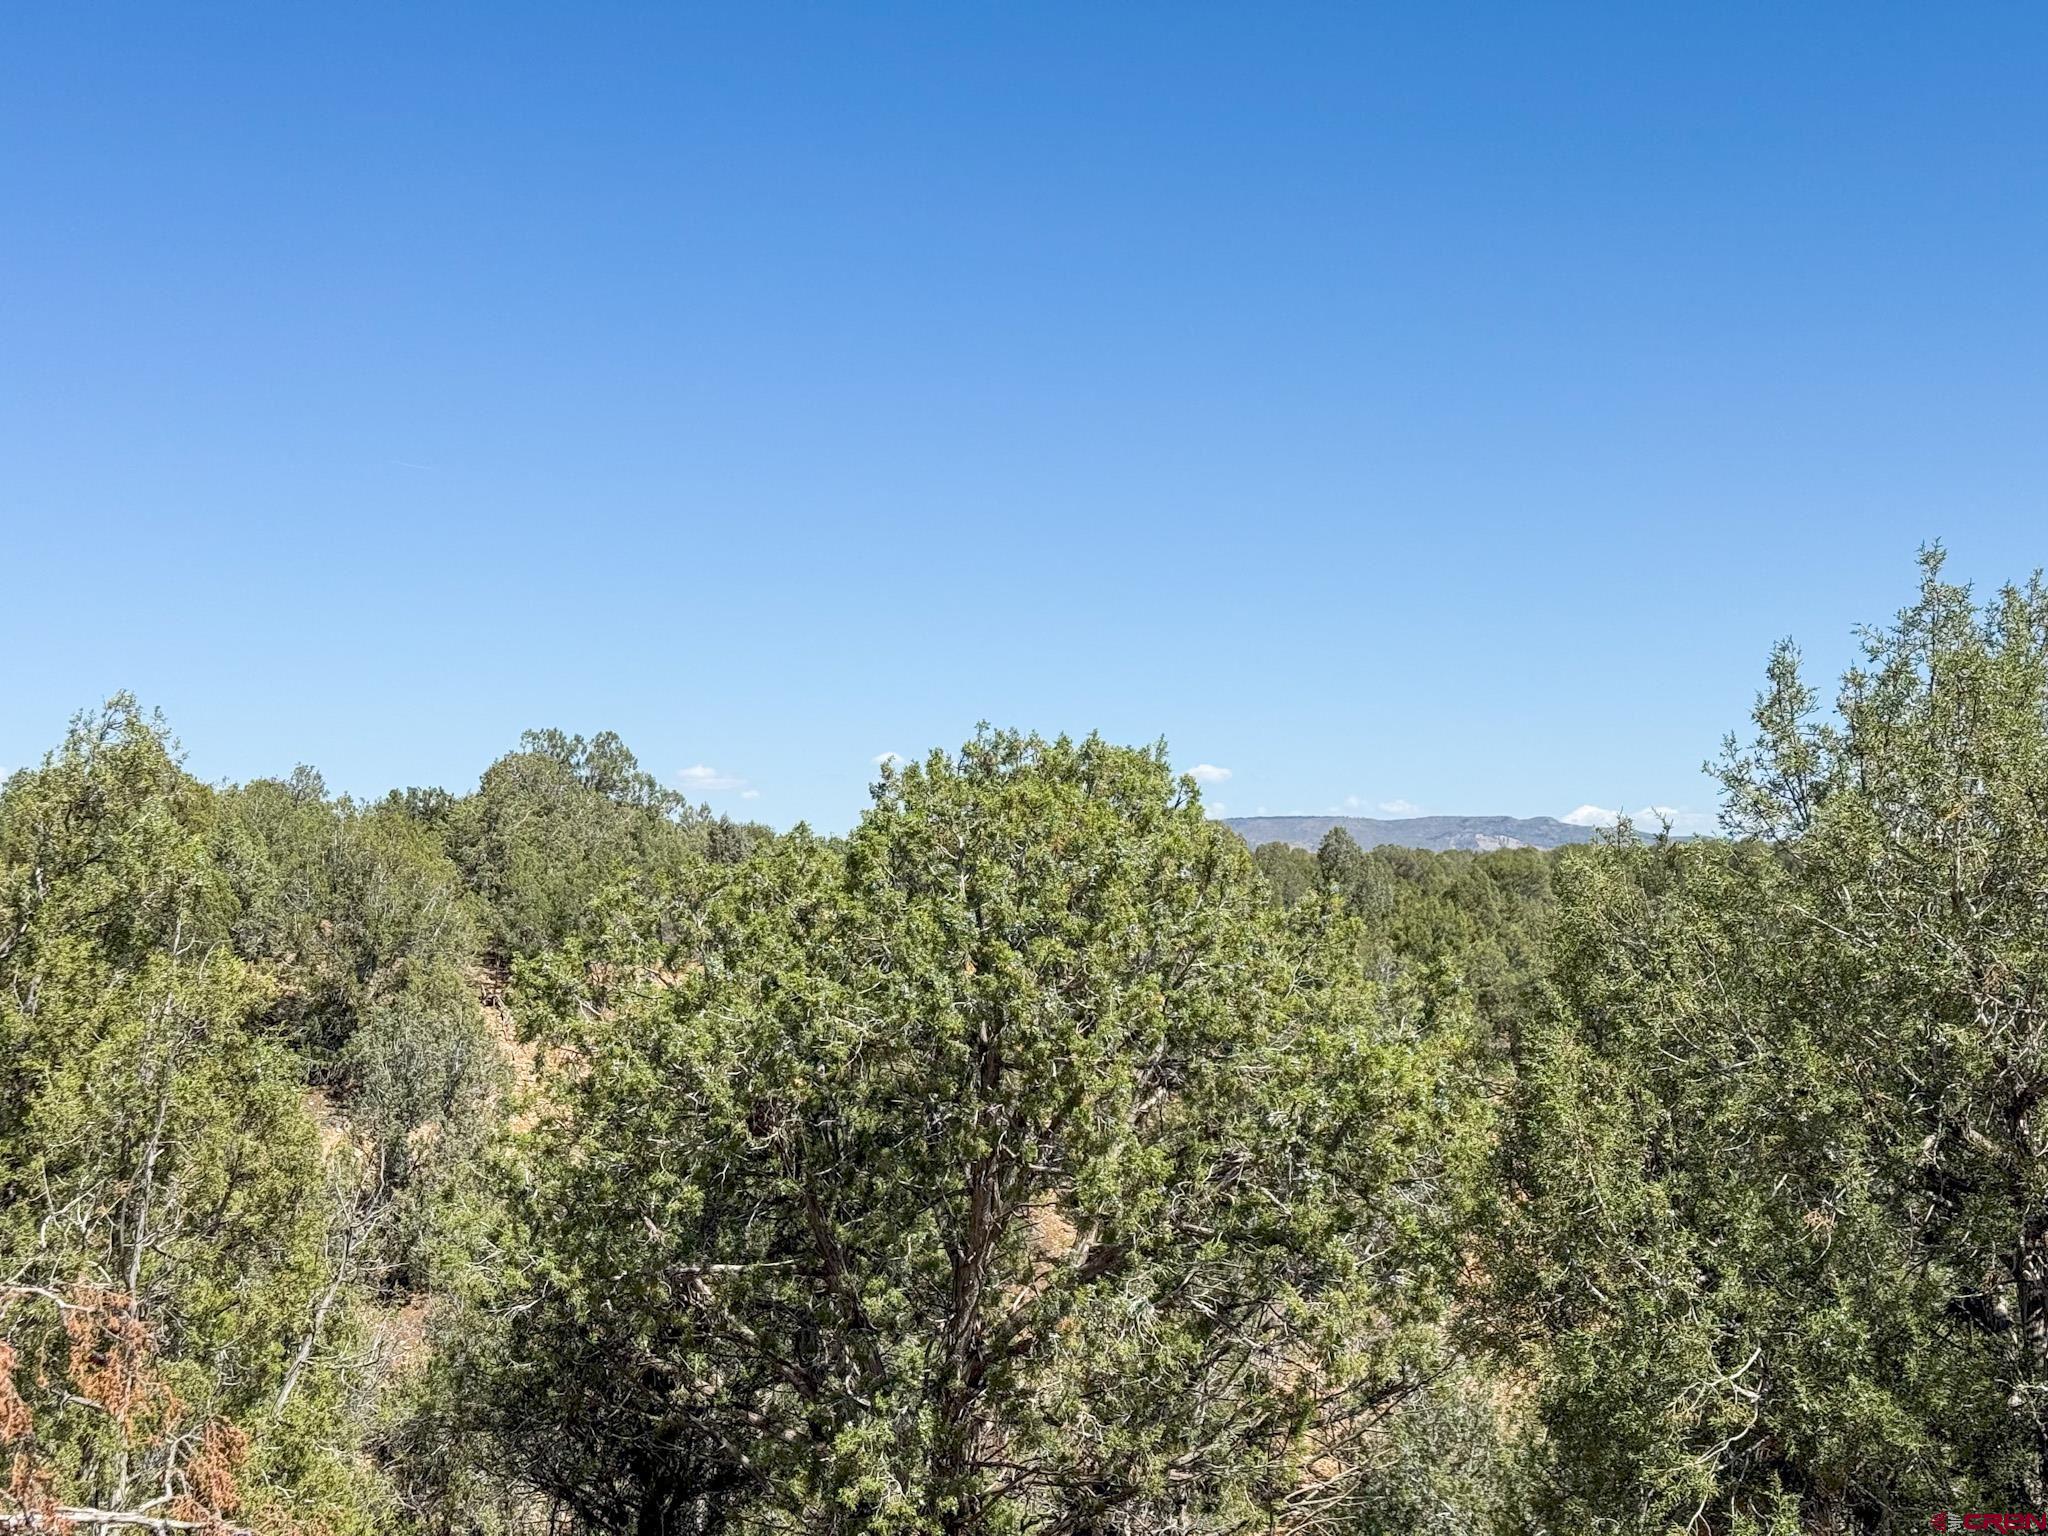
[1785,1189]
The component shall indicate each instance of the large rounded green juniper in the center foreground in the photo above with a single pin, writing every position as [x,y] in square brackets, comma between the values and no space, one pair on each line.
[1017,1170]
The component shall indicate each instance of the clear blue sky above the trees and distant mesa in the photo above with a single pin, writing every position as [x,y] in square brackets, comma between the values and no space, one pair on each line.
[1390,404]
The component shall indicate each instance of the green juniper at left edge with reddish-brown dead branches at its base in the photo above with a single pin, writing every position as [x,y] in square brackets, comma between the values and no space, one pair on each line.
[161,1181]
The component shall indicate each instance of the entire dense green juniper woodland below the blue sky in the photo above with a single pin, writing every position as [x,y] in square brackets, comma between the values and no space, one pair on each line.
[1035,1160]
